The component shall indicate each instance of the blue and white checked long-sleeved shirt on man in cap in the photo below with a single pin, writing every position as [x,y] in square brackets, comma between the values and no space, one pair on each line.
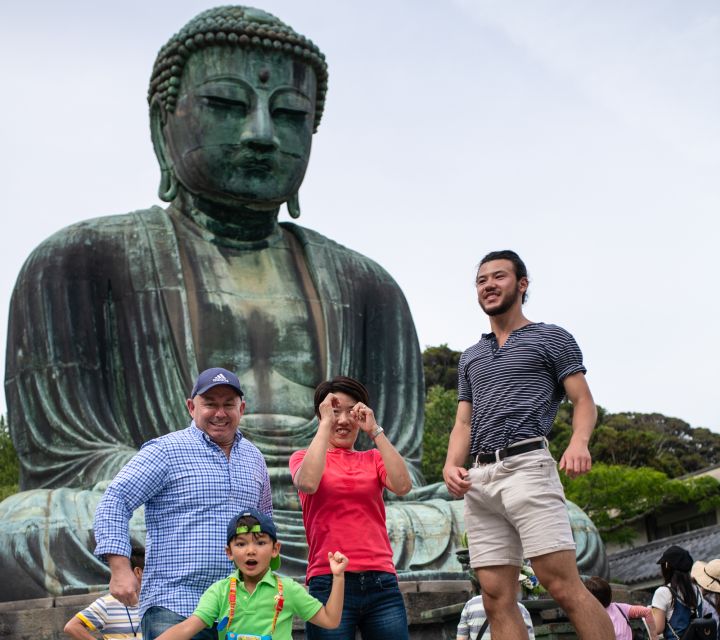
[190,490]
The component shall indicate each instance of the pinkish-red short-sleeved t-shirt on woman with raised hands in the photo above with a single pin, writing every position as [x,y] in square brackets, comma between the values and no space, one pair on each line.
[347,512]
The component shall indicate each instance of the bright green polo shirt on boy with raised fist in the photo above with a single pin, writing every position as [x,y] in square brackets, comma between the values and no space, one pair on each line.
[254,612]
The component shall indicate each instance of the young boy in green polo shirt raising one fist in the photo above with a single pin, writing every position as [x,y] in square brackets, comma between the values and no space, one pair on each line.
[254,602]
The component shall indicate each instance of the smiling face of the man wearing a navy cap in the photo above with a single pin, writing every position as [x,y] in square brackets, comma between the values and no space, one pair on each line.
[217,412]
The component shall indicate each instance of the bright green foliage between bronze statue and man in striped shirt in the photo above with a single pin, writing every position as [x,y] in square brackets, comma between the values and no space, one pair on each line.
[440,409]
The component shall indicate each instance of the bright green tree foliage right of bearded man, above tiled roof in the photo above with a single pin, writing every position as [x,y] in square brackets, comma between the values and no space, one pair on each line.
[614,496]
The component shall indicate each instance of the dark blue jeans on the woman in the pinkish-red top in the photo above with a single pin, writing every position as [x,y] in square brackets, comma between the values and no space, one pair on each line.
[373,604]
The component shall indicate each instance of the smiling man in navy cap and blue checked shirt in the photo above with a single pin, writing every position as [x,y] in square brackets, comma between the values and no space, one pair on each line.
[191,482]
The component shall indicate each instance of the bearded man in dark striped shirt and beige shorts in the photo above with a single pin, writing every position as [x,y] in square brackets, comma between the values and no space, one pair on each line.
[510,386]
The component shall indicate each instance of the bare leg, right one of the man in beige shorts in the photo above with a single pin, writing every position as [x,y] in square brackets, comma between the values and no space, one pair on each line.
[558,573]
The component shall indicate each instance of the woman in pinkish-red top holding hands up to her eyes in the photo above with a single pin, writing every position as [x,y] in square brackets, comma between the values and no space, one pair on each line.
[341,493]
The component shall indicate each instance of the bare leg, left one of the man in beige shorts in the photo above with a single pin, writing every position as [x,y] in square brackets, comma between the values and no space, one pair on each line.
[499,586]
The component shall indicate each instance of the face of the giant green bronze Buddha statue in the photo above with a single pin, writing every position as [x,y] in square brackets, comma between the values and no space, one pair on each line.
[242,129]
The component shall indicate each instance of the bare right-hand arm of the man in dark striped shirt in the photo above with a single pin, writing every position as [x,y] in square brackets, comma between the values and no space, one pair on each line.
[576,460]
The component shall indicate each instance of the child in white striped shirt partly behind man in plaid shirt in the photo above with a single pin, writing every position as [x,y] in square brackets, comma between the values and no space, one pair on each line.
[108,616]
